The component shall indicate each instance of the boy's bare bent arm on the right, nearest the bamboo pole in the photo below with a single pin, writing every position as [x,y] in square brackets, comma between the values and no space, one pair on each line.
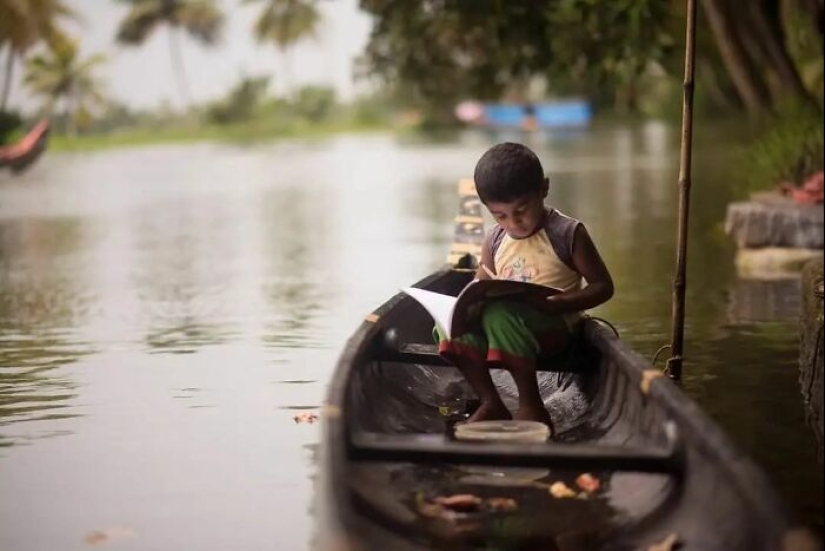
[588,262]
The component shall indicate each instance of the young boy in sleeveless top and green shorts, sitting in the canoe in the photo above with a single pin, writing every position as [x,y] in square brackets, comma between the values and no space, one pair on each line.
[530,242]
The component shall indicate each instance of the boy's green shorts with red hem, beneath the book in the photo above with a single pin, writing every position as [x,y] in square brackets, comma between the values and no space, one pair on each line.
[512,333]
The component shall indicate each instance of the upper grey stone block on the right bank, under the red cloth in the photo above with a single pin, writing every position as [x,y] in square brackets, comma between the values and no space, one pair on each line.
[777,222]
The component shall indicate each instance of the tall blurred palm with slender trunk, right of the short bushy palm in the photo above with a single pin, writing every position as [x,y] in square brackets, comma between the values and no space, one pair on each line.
[201,19]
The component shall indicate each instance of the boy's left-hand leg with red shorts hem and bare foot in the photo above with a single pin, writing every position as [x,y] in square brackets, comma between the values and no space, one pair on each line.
[468,354]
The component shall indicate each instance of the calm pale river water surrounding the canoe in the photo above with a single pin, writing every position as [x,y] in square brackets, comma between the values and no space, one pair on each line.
[165,312]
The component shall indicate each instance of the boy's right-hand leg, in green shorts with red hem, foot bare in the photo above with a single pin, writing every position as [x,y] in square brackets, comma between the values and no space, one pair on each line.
[512,328]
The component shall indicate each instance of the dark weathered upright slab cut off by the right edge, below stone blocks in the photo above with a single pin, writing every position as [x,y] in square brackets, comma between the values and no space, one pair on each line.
[811,349]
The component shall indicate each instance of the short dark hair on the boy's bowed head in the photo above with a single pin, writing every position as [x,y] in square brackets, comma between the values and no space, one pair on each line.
[508,172]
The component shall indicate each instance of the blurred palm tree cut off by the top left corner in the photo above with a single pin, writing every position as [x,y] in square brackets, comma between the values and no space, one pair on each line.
[24,23]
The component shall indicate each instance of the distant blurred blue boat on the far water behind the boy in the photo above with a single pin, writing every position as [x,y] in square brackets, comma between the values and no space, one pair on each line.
[539,116]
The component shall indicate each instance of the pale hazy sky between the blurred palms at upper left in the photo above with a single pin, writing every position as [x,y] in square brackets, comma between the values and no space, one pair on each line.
[142,76]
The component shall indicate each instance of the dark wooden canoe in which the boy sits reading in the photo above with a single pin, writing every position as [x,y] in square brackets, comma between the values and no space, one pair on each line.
[665,468]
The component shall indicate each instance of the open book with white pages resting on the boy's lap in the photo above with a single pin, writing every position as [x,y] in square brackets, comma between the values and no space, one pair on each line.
[456,315]
